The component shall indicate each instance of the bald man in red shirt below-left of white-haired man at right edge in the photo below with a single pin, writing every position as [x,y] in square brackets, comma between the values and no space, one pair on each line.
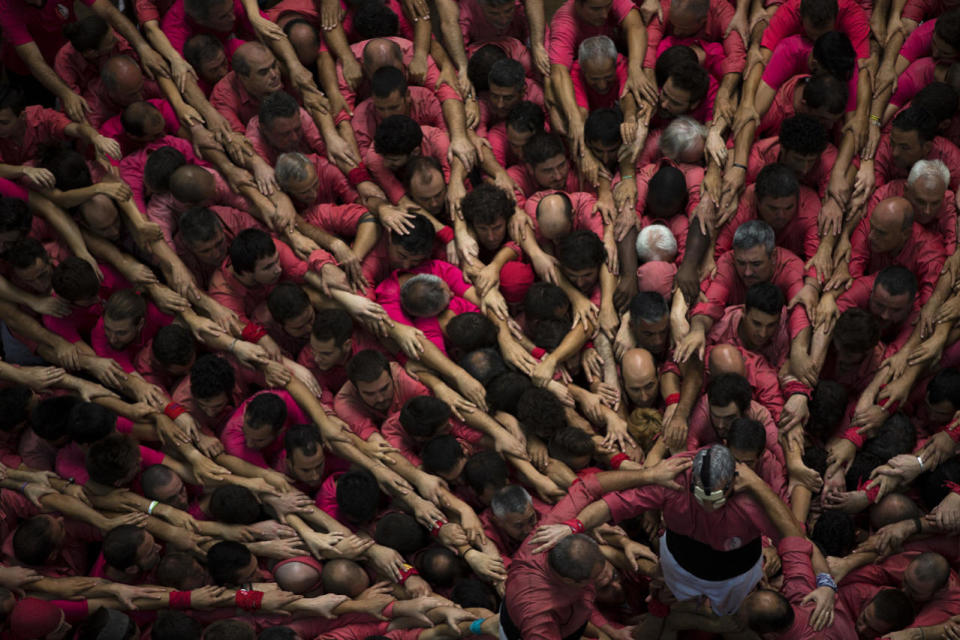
[890,236]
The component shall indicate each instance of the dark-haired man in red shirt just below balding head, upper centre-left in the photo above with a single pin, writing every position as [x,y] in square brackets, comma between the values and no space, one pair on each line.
[392,95]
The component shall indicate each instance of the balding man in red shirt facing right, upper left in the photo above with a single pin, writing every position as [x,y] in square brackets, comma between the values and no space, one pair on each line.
[255,75]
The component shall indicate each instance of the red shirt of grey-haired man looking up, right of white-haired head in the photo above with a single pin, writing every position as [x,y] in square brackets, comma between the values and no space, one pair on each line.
[726,288]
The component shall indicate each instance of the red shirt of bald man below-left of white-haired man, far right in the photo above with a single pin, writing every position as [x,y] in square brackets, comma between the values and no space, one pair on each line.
[923,254]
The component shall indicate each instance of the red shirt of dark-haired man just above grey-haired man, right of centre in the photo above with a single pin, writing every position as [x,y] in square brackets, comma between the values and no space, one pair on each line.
[799,236]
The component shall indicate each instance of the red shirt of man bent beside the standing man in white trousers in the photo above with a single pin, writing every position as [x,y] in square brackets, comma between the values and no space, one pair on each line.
[537,601]
